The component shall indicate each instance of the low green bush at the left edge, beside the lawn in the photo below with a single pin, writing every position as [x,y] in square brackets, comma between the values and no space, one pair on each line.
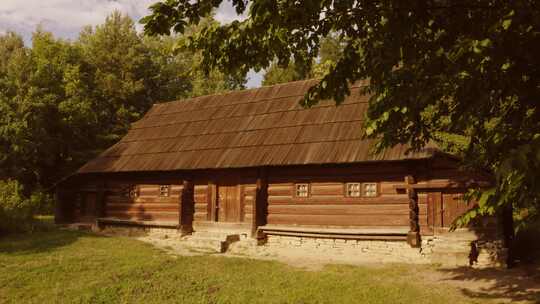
[16,210]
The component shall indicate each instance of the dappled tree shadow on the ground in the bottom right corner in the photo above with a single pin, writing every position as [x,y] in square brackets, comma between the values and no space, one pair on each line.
[518,284]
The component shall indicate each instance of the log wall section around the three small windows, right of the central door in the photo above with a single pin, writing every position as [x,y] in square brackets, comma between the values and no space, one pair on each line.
[328,205]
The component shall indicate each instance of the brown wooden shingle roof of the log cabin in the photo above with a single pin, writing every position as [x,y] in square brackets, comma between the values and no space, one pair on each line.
[250,128]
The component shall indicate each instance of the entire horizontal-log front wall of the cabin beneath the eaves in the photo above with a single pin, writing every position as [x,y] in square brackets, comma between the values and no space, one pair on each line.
[326,206]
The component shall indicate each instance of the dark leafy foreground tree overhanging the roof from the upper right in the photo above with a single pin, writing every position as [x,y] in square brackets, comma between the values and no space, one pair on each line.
[464,74]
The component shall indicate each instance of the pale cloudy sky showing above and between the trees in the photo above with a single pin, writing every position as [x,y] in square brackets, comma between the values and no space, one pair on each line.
[65,18]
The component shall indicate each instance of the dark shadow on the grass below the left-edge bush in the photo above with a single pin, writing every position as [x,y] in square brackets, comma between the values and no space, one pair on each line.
[41,241]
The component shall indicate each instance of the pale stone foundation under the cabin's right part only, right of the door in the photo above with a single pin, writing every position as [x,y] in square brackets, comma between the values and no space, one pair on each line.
[461,248]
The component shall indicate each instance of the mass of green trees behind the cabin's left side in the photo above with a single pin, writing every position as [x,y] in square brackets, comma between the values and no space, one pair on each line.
[62,102]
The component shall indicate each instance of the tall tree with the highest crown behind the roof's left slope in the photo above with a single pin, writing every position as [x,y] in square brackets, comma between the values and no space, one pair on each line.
[121,66]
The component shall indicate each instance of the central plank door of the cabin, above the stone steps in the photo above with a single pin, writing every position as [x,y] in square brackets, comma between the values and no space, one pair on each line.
[228,203]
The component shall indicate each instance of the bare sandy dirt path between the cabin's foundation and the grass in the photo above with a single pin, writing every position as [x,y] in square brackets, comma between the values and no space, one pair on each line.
[519,285]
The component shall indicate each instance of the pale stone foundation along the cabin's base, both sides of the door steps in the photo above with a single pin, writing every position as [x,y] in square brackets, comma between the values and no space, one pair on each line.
[458,248]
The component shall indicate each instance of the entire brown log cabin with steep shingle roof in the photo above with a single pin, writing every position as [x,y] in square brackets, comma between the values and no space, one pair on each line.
[257,163]
